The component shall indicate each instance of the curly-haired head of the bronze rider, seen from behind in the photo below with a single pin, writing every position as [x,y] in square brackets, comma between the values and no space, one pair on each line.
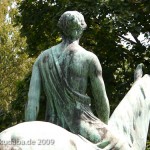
[72,24]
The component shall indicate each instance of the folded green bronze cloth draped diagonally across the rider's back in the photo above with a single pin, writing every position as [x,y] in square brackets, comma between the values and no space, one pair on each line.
[65,106]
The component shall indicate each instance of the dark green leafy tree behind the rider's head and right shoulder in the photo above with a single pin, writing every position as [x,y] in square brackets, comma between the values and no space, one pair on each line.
[108,23]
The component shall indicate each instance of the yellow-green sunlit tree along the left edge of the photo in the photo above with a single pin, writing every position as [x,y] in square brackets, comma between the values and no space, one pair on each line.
[14,62]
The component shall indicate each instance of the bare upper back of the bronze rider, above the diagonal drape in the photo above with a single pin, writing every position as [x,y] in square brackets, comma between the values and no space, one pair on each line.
[74,63]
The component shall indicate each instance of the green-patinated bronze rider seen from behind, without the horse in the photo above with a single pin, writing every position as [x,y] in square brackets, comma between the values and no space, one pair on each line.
[64,71]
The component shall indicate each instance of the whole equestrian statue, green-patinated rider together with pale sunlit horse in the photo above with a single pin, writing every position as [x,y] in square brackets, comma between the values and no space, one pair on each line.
[63,72]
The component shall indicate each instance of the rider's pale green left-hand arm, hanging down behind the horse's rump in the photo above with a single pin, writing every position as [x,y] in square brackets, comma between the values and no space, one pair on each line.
[32,107]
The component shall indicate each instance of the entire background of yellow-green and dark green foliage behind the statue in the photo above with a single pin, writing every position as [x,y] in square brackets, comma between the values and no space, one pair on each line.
[118,33]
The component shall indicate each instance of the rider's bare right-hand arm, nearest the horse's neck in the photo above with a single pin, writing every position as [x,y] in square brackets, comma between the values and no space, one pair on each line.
[98,90]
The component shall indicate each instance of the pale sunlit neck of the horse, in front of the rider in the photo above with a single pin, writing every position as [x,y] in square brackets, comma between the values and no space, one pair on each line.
[131,117]
